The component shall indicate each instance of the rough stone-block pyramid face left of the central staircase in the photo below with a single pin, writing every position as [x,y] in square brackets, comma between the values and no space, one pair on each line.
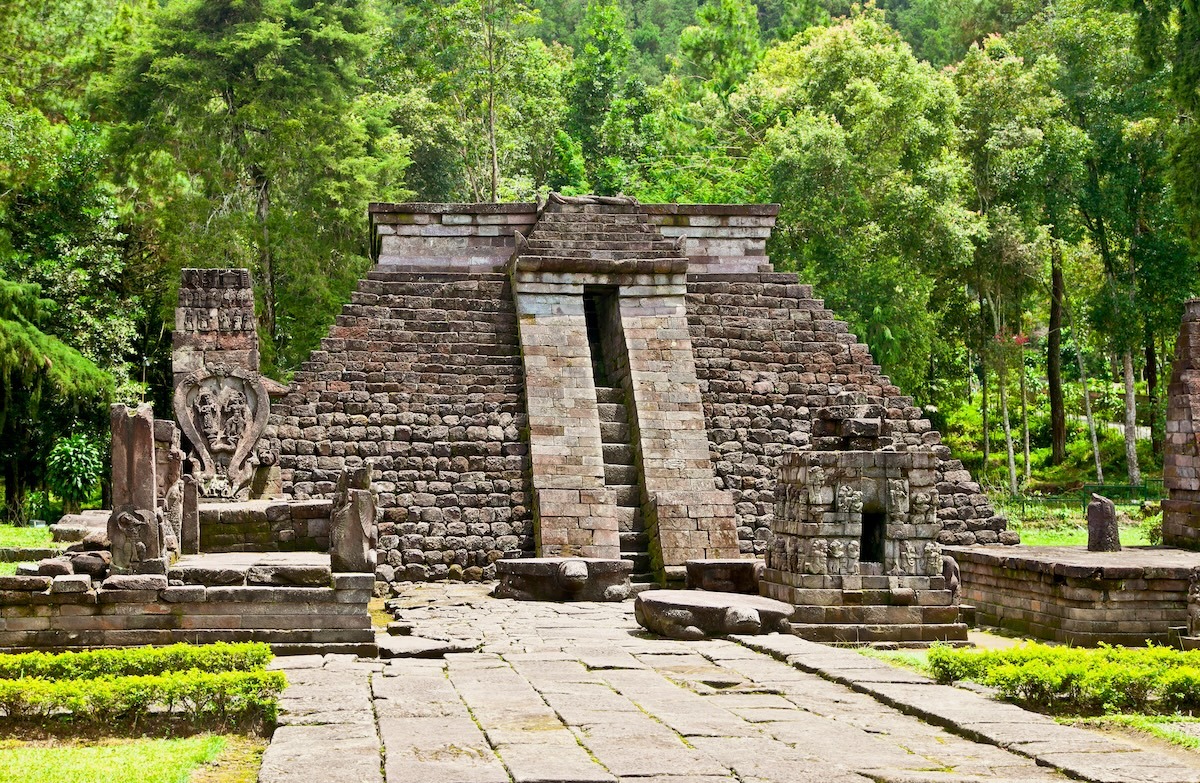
[422,375]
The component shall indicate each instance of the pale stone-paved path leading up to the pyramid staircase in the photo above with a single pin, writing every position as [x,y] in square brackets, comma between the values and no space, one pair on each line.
[563,694]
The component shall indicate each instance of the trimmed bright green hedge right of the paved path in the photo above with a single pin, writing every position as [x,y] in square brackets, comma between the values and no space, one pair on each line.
[1077,682]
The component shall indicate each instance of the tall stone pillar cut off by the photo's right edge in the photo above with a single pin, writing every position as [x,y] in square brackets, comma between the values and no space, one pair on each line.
[1181,459]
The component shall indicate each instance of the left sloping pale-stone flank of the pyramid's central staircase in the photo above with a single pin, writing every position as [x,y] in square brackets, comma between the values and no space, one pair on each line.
[572,505]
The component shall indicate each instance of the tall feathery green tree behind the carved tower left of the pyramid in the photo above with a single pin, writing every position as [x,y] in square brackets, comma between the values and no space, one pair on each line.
[249,121]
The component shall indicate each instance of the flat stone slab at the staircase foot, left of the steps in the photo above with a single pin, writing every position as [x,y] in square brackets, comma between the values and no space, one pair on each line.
[563,579]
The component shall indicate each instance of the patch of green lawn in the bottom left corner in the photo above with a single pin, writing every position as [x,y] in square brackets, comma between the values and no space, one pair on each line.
[109,761]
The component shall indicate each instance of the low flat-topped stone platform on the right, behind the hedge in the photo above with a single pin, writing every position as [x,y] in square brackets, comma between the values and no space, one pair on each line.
[1075,596]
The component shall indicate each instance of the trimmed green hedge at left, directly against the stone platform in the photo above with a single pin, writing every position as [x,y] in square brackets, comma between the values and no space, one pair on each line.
[249,656]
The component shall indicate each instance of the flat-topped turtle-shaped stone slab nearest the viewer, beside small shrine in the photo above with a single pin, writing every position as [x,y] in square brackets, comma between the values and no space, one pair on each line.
[689,614]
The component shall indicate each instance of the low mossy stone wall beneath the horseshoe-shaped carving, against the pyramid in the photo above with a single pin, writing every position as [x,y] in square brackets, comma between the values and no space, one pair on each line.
[266,527]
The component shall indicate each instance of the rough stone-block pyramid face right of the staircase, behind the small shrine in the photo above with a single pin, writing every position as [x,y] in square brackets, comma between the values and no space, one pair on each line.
[769,356]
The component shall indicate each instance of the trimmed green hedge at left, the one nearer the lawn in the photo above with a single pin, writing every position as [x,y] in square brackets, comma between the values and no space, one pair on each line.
[201,697]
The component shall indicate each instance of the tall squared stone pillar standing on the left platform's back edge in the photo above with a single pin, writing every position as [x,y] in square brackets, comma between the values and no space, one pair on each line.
[134,527]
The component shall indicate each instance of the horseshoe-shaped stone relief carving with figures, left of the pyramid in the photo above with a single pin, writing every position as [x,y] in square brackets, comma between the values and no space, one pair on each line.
[224,414]
